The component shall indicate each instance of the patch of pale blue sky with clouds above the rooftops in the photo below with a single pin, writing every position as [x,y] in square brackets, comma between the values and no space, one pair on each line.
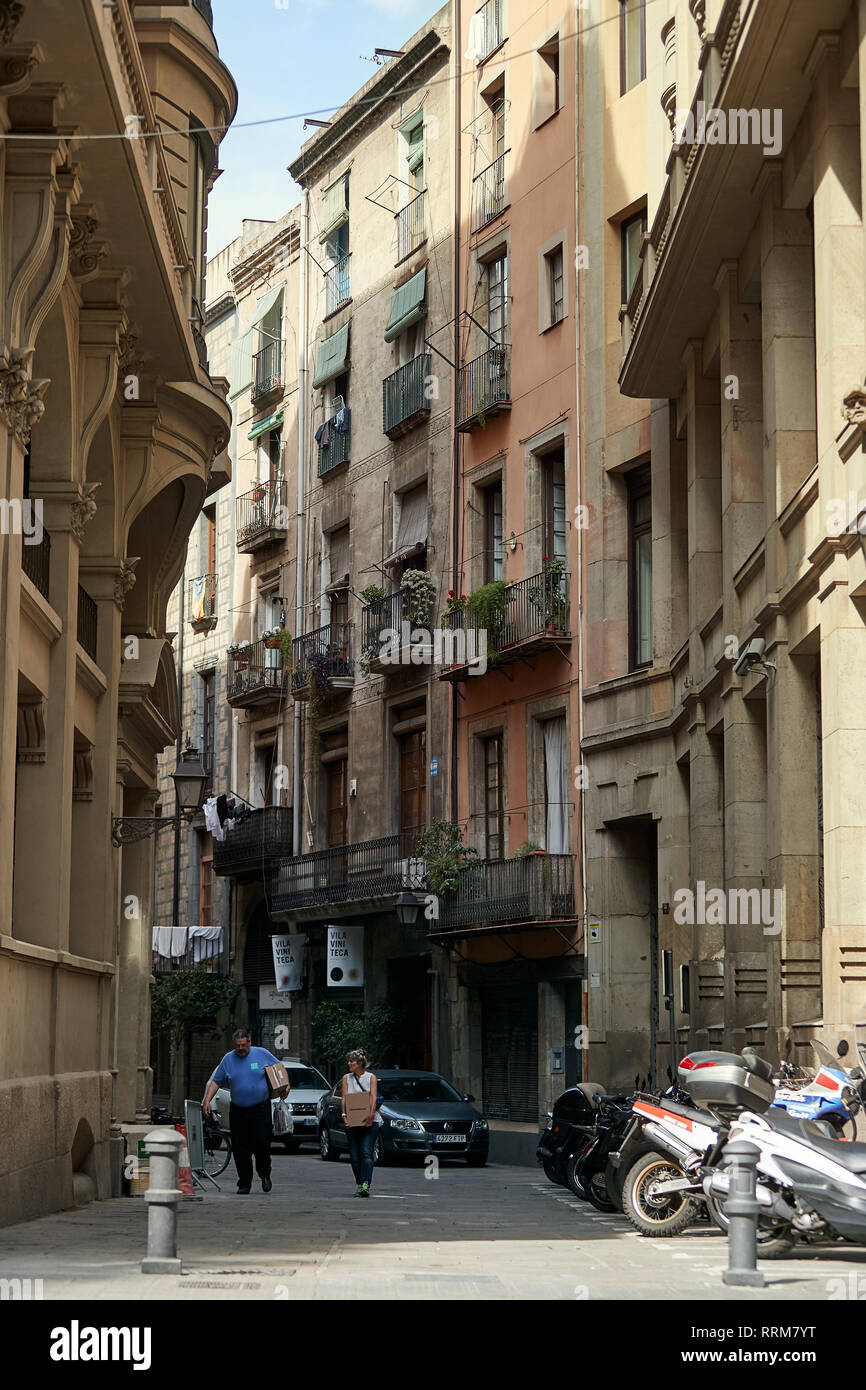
[291,56]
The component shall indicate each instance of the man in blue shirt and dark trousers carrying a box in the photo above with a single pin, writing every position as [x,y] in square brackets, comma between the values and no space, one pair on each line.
[250,1074]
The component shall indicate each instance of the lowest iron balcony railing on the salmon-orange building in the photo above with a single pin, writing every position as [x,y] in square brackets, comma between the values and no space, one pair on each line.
[496,893]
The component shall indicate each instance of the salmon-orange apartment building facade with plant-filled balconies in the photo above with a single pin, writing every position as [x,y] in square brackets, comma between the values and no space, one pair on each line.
[514,931]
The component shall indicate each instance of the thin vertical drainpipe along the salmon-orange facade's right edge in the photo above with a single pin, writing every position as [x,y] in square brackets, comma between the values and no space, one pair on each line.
[579,302]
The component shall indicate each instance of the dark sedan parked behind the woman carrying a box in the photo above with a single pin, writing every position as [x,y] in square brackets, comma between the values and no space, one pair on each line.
[422,1114]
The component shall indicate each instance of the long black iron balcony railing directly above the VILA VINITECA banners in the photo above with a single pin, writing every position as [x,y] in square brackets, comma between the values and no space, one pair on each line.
[373,869]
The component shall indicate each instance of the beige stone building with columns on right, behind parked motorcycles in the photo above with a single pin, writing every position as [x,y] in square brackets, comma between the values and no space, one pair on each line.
[724,475]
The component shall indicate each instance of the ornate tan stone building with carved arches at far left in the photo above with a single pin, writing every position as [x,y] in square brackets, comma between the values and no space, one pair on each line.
[113,436]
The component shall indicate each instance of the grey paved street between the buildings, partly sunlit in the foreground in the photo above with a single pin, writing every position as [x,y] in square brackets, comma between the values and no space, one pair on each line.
[494,1234]
